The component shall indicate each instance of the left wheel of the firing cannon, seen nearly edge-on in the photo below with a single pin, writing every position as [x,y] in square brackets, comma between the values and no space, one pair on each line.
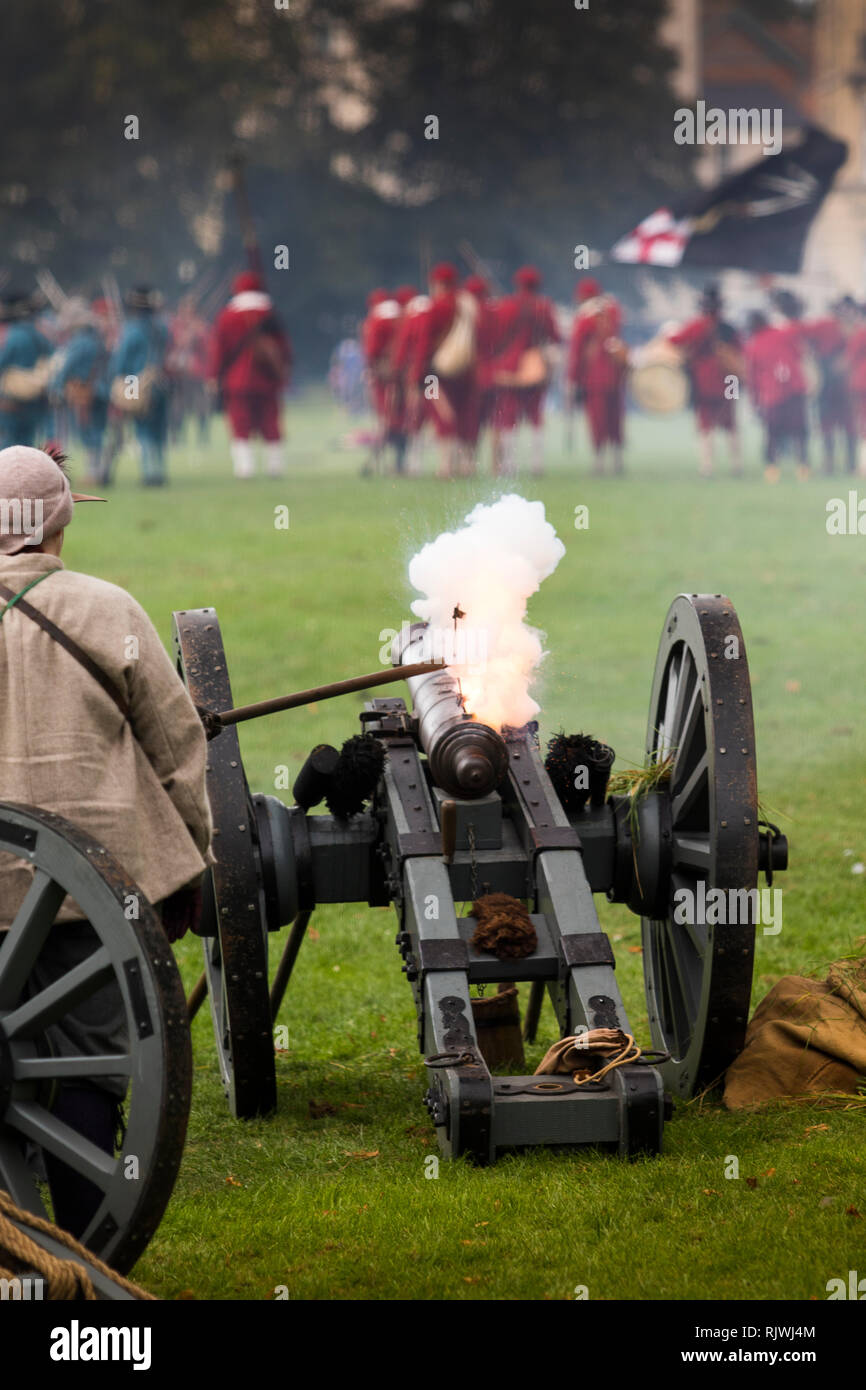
[237,943]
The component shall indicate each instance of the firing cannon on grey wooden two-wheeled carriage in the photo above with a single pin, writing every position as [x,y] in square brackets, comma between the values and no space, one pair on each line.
[457,810]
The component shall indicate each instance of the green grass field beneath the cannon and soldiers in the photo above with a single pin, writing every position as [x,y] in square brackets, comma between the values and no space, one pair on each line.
[340,1207]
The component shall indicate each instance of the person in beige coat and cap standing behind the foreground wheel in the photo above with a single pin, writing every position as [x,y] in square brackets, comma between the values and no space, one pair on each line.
[119,751]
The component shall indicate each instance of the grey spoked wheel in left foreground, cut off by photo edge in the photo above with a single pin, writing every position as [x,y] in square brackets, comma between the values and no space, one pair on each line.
[130,953]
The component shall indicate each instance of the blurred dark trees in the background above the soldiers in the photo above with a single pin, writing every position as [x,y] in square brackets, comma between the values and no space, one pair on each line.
[379,134]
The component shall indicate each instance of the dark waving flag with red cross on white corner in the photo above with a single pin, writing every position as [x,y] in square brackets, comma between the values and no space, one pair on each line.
[754,220]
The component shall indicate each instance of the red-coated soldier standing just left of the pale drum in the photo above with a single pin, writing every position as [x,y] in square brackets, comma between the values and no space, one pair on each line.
[597,369]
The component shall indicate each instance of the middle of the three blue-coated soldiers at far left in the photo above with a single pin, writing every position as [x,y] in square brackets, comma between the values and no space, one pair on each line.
[83,383]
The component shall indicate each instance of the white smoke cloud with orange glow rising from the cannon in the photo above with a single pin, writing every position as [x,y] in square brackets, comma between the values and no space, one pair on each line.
[489,569]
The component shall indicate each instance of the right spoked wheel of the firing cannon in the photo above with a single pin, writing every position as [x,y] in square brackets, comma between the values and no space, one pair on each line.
[700,974]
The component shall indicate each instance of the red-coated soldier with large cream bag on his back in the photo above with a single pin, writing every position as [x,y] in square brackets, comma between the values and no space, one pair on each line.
[443,368]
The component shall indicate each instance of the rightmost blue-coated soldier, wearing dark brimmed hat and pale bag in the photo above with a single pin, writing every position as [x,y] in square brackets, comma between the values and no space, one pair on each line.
[140,363]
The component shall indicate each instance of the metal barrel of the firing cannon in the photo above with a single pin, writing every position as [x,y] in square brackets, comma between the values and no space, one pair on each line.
[468,760]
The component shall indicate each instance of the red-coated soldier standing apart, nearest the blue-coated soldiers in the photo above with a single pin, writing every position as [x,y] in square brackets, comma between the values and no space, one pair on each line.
[251,359]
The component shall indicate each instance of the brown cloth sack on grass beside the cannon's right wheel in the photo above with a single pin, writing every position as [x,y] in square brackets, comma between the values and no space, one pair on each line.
[806,1038]
